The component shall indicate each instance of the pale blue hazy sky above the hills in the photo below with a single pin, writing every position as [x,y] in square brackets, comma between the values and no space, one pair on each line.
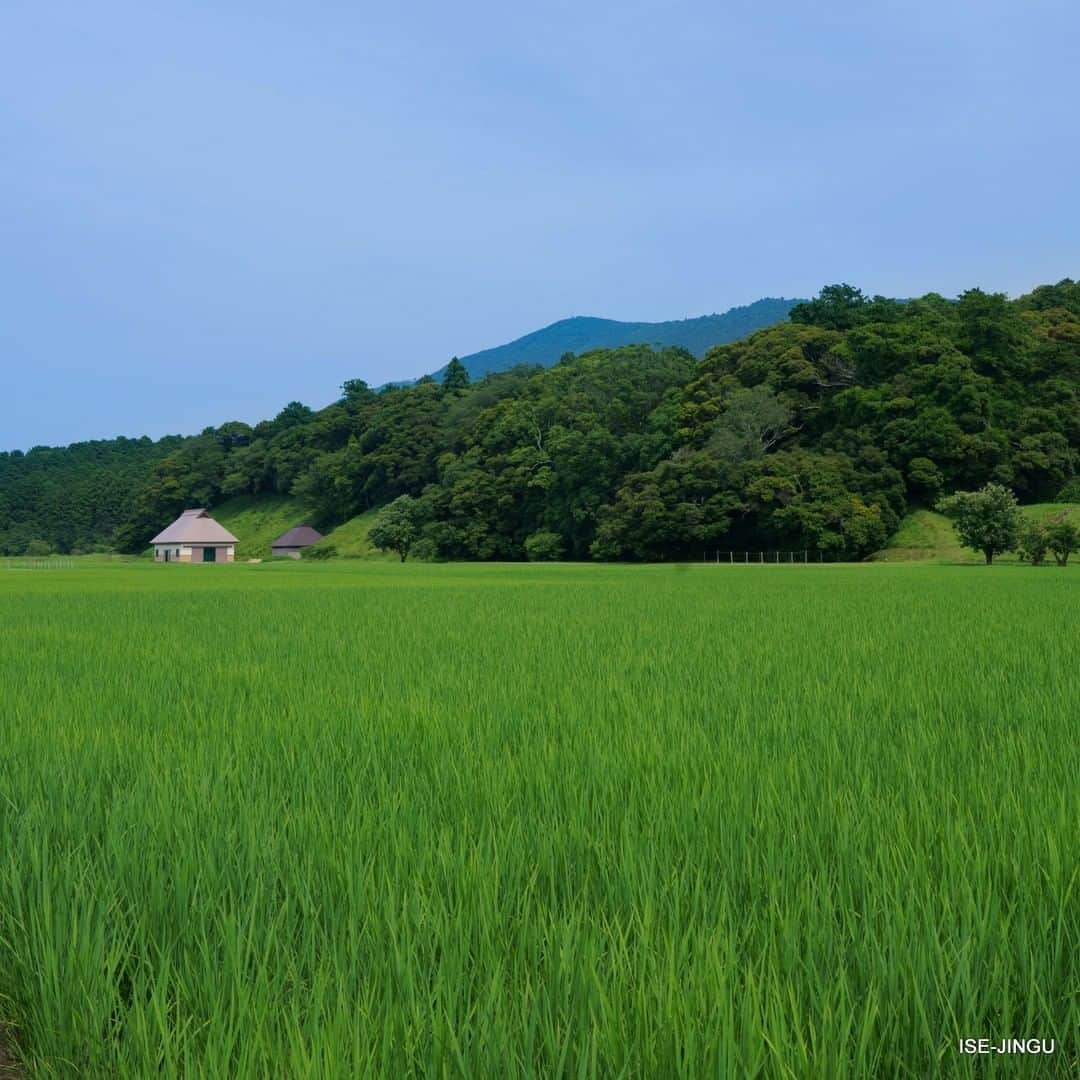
[208,210]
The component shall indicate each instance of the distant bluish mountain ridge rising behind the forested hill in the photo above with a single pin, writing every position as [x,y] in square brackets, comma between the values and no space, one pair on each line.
[584,333]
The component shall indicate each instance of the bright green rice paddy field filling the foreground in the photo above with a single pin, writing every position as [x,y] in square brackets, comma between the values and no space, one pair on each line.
[339,820]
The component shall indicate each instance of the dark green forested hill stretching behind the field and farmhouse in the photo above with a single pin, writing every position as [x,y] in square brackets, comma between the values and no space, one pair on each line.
[819,433]
